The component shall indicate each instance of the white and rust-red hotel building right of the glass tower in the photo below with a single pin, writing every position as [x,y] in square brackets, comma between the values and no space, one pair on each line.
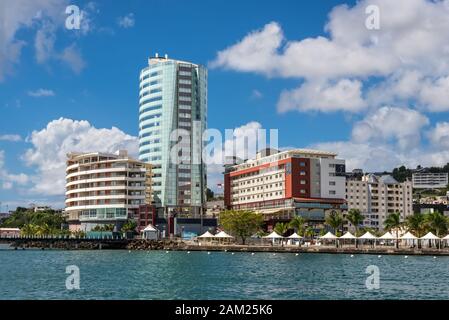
[280,185]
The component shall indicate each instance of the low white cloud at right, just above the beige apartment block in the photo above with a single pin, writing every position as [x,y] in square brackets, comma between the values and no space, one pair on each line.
[391,137]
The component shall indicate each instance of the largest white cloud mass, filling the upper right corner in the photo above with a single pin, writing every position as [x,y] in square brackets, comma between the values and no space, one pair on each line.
[411,44]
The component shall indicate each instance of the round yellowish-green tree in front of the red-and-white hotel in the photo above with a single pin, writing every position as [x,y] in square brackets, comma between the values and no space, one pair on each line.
[241,223]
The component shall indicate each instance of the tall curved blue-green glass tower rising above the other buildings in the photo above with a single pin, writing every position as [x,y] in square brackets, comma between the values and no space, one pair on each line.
[173,105]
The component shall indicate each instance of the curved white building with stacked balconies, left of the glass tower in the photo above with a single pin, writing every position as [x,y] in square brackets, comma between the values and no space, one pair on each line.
[103,188]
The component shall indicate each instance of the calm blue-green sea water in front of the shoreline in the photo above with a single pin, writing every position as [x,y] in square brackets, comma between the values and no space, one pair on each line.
[36,274]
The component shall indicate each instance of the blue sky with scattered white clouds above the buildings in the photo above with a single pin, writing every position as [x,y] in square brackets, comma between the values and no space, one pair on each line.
[369,84]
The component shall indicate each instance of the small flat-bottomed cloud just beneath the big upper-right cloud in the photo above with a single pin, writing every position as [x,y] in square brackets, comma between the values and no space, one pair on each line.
[343,95]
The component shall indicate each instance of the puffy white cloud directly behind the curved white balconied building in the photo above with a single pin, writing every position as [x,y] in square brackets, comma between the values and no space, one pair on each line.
[51,145]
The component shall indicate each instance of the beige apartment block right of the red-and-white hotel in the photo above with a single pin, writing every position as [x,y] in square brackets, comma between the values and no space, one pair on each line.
[378,196]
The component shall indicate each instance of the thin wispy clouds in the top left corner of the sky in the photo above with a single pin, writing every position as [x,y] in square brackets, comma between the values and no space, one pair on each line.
[45,17]
